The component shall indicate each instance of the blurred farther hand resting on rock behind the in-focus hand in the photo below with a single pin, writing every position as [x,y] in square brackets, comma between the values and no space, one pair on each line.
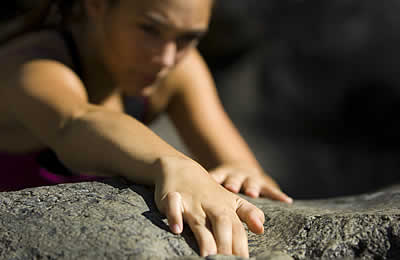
[250,180]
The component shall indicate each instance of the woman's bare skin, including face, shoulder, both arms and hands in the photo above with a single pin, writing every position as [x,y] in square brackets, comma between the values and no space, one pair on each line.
[138,48]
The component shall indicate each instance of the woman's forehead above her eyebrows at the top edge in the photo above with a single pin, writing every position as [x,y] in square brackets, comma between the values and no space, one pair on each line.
[177,13]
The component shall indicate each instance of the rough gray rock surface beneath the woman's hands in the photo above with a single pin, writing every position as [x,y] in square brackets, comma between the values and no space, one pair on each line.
[114,220]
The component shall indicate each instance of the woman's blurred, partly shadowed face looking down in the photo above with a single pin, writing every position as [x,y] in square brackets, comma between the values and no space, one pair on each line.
[140,41]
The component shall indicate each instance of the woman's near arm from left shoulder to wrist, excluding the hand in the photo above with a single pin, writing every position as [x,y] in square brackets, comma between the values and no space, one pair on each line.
[51,102]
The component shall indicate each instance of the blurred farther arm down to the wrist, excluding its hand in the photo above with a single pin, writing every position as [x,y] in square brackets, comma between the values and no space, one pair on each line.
[217,140]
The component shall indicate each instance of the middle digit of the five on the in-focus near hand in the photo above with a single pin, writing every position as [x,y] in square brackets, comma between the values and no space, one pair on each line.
[222,229]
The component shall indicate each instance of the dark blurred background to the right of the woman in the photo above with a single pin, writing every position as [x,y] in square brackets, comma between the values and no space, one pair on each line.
[314,88]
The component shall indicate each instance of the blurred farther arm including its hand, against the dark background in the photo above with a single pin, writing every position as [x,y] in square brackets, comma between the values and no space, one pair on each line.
[198,115]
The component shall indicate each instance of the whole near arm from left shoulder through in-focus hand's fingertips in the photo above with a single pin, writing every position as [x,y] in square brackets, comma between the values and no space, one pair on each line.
[50,101]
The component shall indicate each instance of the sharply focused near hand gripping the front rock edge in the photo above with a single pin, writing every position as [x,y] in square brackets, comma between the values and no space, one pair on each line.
[186,192]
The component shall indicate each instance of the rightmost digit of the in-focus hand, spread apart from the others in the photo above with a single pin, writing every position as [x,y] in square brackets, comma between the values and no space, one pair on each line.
[251,215]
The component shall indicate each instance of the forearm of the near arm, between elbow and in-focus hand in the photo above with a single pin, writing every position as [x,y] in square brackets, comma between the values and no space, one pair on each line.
[113,144]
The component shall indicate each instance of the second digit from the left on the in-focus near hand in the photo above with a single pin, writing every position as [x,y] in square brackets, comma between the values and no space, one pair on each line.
[203,235]
